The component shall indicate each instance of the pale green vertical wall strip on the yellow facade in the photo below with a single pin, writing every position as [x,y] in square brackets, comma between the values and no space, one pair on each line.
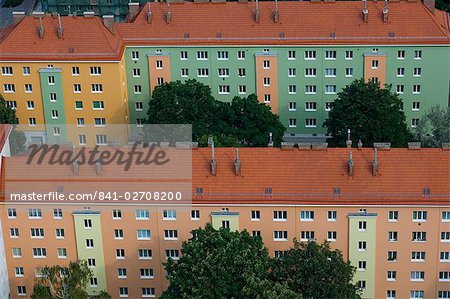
[58,105]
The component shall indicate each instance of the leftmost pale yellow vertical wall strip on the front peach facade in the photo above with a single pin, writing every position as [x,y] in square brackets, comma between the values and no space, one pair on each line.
[95,233]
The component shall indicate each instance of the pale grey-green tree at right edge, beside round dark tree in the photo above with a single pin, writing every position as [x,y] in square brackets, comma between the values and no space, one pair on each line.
[434,127]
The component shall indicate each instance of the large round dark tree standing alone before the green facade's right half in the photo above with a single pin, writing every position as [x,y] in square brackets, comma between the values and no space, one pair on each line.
[373,114]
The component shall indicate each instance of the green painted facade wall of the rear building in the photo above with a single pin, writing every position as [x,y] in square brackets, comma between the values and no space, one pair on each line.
[435,64]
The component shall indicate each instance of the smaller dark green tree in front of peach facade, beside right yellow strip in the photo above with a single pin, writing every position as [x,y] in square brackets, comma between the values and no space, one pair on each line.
[315,271]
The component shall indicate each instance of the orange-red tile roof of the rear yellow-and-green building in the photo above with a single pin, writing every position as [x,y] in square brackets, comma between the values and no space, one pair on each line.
[302,23]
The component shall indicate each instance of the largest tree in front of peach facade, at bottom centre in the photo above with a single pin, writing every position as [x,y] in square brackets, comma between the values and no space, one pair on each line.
[223,264]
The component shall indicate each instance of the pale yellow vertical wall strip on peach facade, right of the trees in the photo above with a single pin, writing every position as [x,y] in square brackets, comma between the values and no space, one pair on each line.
[355,255]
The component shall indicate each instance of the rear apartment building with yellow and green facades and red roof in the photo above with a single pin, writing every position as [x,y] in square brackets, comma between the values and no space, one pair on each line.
[295,67]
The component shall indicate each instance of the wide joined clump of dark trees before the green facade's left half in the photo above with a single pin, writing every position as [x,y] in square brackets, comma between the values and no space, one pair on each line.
[243,121]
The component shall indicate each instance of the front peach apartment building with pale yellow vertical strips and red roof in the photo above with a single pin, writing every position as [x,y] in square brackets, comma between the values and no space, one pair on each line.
[391,220]
